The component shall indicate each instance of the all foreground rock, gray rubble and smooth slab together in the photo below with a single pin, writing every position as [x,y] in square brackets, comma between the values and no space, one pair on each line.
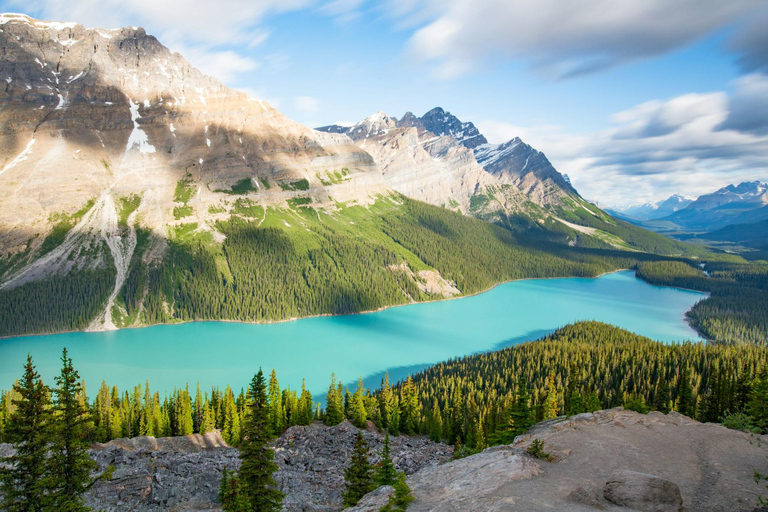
[610,460]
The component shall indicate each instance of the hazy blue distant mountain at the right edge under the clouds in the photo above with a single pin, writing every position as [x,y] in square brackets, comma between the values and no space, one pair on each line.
[728,205]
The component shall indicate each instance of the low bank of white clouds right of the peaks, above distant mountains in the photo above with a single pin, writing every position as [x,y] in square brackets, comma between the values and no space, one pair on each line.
[682,145]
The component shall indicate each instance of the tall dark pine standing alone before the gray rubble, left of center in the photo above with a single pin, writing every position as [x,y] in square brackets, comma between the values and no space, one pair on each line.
[258,468]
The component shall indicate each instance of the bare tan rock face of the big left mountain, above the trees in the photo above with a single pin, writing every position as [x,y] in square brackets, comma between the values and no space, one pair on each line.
[88,112]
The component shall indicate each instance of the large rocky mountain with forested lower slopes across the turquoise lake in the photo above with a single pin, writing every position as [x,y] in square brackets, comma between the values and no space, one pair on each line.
[126,170]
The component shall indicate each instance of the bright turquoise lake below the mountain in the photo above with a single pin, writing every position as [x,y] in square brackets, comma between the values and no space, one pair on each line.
[399,340]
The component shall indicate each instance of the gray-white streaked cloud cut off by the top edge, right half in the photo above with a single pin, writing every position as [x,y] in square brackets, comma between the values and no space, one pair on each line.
[561,37]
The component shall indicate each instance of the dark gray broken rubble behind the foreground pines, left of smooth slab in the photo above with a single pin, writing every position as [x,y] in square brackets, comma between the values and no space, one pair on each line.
[184,473]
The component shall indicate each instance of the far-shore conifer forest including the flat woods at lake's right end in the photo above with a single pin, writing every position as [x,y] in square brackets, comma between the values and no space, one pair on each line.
[265,273]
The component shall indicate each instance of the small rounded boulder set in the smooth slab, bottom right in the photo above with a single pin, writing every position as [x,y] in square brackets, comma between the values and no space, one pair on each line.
[643,492]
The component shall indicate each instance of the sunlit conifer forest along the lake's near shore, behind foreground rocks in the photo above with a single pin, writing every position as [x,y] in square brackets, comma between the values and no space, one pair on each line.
[475,400]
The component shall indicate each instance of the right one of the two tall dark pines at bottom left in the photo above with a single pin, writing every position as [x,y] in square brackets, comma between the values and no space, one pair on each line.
[69,465]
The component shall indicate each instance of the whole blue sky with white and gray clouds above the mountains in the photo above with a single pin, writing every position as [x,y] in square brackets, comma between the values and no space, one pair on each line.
[635,100]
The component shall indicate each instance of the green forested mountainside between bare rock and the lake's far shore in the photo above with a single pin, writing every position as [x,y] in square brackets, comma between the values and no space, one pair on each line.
[291,262]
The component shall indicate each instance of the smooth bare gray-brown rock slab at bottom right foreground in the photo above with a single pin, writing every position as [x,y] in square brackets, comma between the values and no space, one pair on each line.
[609,460]
